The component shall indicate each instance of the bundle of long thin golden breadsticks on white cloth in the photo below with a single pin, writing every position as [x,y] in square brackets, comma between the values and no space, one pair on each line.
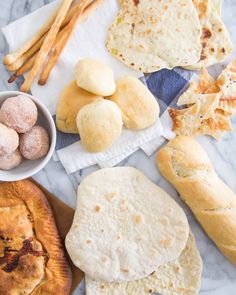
[41,52]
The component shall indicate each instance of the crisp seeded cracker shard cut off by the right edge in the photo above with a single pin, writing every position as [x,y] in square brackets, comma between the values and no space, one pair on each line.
[227,84]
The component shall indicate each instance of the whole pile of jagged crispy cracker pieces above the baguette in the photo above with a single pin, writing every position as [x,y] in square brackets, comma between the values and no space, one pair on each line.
[210,105]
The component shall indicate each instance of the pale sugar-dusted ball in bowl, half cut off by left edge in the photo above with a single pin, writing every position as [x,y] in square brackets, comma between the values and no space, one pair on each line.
[9,140]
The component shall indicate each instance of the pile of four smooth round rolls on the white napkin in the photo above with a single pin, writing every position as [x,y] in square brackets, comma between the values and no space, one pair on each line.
[95,106]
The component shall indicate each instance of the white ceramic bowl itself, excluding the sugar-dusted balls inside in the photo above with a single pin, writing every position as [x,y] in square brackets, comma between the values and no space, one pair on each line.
[28,168]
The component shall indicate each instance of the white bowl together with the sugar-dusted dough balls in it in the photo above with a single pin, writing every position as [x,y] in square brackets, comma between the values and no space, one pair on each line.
[22,114]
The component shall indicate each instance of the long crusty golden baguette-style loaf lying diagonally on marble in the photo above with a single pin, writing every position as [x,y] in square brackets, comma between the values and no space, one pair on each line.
[186,165]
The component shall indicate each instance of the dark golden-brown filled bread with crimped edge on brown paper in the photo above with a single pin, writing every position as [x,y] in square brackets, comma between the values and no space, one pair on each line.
[32,258]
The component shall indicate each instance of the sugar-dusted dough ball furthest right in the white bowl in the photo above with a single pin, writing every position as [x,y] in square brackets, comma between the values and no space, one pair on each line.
[35,143]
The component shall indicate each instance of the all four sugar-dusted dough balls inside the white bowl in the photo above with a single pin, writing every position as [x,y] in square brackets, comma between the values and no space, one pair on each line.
[19,137]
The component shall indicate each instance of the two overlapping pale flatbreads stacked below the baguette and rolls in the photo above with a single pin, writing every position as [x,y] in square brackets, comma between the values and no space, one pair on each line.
[130,237]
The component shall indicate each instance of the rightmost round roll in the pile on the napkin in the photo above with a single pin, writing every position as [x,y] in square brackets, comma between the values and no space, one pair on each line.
[139,107]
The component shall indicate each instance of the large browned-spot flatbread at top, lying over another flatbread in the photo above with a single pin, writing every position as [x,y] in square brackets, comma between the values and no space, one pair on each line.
[150,35]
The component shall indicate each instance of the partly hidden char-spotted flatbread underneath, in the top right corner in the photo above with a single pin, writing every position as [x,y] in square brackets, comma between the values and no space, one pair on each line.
[216,43]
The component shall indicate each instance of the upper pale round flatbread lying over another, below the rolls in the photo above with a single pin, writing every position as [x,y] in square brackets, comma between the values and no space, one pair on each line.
[124,226]
